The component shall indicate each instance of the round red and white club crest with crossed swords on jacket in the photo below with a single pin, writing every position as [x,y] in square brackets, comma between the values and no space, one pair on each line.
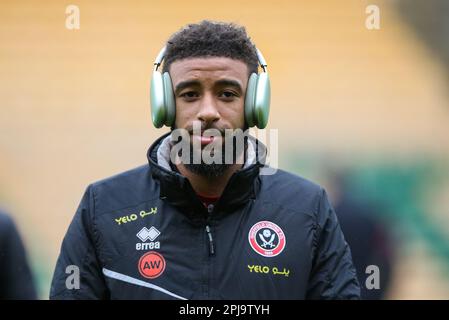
[266,238]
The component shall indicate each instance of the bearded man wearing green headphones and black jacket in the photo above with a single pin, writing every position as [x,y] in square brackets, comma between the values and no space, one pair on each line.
[174,229]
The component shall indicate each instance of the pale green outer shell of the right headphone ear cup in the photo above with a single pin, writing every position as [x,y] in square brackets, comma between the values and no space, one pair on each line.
[262,100]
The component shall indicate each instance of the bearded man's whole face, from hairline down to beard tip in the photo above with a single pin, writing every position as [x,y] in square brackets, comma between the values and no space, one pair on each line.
[209,94]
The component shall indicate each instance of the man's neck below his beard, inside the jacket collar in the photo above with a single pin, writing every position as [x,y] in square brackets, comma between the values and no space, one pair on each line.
[209,186]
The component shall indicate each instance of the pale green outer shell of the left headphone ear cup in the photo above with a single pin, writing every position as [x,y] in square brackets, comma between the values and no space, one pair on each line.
[157,99]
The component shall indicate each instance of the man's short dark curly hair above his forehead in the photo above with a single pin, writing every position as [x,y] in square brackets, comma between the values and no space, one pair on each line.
[211,39]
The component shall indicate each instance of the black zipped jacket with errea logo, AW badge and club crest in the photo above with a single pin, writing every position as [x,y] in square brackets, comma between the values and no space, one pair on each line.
[144,234]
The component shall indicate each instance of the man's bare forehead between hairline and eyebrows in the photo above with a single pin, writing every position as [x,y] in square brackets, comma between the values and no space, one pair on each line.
[208,69]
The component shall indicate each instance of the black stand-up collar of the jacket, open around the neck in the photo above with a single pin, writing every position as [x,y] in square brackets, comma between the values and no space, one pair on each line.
[176,189]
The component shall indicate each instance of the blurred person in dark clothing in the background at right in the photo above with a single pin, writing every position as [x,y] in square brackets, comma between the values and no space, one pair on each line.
[365,232]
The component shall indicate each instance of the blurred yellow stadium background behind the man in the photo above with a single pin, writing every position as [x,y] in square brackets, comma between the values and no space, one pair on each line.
[74,104]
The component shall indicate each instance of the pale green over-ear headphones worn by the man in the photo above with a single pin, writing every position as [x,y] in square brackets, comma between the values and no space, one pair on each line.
[257,100]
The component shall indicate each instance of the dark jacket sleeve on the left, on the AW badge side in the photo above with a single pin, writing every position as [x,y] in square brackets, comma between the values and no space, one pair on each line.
[78,252]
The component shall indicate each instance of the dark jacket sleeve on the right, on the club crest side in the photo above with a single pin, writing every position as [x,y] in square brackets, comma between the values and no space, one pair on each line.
[333,274]
